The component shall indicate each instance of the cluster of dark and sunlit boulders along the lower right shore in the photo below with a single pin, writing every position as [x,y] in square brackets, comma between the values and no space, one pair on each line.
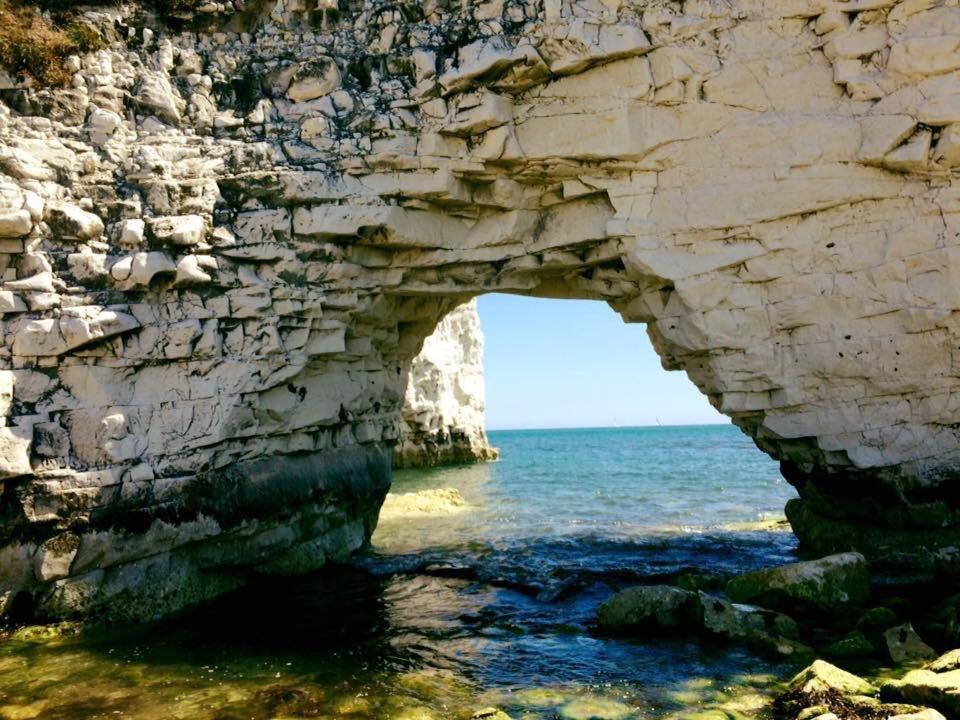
[835,612]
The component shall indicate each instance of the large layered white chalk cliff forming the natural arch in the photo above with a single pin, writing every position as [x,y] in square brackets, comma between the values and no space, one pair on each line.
[242,231]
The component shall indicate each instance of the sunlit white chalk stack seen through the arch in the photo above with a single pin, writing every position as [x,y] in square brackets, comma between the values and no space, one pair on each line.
[443,419]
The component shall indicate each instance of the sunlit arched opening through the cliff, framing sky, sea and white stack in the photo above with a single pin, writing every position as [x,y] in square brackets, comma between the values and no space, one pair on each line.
[588,422]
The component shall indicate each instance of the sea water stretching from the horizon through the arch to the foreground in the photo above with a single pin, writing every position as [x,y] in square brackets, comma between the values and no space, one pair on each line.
[447,615]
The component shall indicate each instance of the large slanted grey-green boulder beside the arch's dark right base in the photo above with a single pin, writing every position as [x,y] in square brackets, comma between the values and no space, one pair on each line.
[824,584]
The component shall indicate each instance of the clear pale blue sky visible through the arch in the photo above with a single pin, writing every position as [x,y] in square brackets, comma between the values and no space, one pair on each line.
[575,363]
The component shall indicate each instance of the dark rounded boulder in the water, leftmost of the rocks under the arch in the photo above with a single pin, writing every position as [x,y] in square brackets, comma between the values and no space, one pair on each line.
[650,606]
